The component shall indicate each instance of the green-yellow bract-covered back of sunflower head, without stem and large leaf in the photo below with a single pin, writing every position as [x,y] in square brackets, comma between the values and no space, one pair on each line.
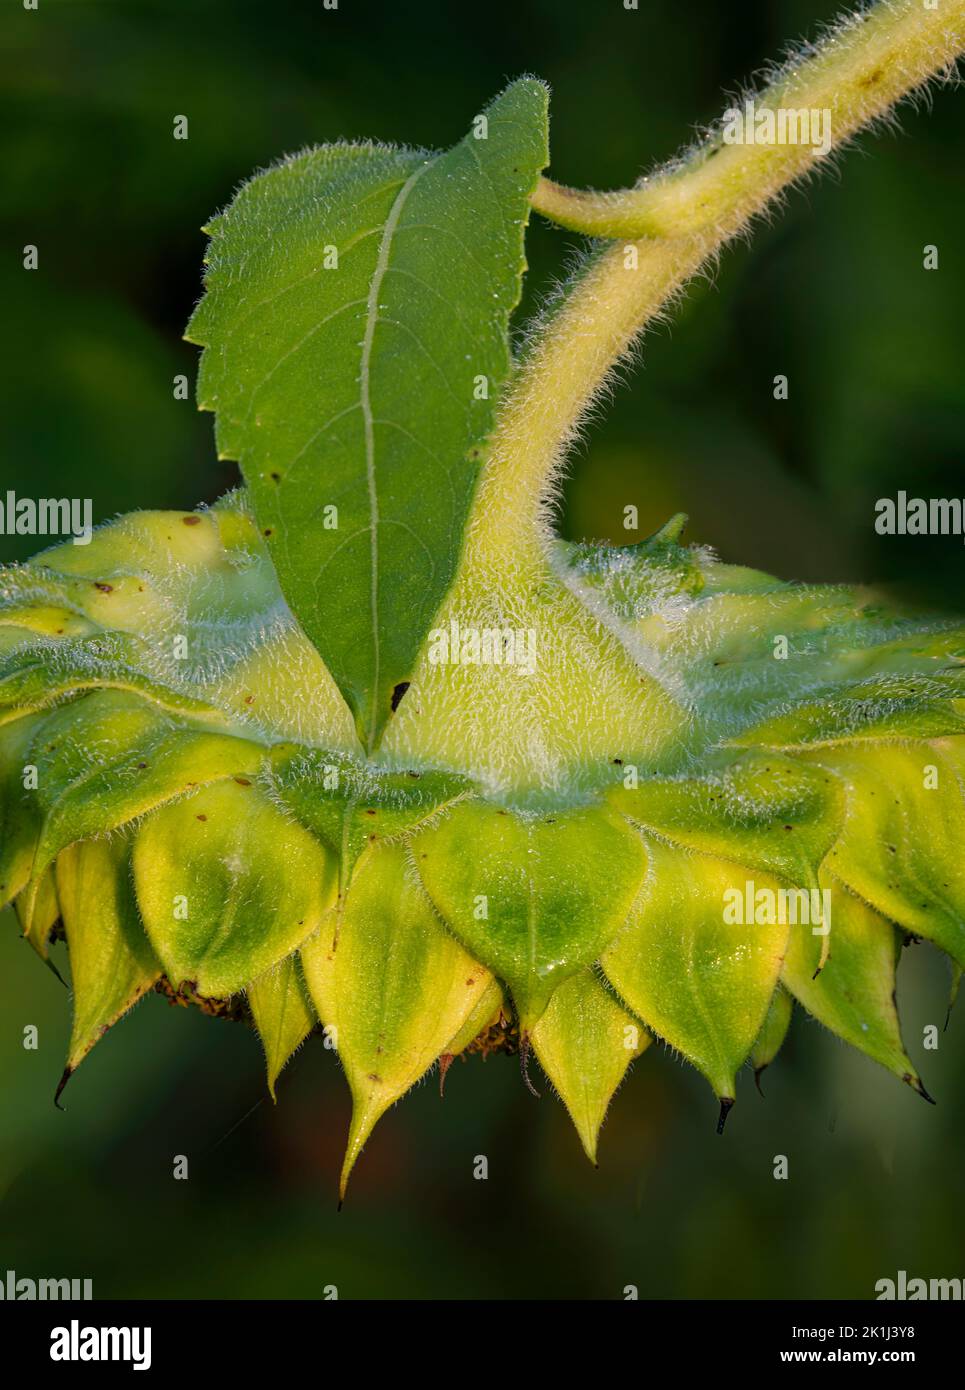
[183,787]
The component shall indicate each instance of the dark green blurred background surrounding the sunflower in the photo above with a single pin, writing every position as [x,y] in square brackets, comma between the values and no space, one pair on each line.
[834,295]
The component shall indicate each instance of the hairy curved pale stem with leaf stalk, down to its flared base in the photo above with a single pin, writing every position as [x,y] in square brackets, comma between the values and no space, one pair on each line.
[670,229]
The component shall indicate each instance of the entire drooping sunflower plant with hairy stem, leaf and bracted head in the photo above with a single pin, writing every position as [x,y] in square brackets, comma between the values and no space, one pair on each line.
[365,751]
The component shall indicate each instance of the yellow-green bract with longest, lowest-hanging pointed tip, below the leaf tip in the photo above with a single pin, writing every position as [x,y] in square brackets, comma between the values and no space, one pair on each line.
[396,992]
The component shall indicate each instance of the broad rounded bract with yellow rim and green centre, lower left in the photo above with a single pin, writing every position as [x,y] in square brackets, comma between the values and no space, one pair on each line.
[229,888]
